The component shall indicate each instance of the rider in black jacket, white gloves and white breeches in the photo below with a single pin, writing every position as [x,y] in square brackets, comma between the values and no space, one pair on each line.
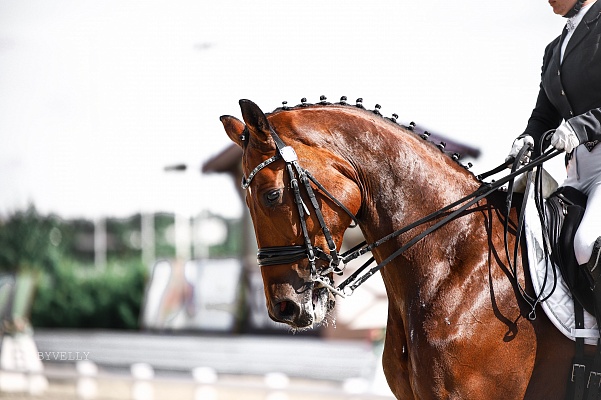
[570,91]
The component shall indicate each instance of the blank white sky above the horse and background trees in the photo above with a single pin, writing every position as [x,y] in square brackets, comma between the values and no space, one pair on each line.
[96,97]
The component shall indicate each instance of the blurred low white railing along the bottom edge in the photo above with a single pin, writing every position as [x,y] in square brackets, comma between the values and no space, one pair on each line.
[86,381]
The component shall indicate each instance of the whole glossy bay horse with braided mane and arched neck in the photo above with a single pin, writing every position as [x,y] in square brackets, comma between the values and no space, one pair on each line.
[457,325]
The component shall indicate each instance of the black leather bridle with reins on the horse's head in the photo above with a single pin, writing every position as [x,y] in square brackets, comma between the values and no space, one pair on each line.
[269,256]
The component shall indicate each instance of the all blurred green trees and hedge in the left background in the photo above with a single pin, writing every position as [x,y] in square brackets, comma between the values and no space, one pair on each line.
[57,254]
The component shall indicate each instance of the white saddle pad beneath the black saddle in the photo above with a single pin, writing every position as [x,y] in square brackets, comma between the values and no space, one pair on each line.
[560,306]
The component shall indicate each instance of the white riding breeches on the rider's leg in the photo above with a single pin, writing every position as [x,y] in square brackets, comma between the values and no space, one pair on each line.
[584,174]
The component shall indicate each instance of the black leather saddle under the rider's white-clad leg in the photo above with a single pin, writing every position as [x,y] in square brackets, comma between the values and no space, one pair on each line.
[564,211]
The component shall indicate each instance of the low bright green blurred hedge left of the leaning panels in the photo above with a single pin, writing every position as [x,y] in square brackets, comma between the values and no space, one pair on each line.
[79,297]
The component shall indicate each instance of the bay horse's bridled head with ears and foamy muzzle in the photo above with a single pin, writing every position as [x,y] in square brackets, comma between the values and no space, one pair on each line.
[298,224]
